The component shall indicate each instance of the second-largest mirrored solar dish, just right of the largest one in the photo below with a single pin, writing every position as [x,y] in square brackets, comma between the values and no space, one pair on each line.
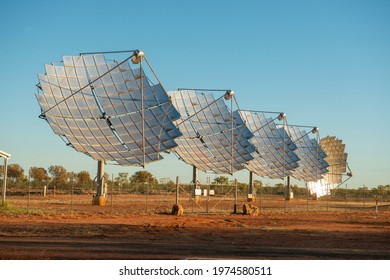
[214,138]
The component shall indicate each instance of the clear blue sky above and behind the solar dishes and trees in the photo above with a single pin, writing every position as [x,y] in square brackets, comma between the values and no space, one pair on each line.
[324,63]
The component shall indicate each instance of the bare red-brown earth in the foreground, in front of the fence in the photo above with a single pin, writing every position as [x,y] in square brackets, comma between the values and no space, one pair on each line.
[300,235]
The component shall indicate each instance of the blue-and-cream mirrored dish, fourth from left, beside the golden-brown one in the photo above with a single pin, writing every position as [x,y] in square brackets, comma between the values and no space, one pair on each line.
[312,164]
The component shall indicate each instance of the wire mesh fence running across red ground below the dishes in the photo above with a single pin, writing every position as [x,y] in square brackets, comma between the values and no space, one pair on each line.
[209,199]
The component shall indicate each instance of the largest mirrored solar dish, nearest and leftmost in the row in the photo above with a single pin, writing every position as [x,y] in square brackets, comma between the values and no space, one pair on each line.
[108,109]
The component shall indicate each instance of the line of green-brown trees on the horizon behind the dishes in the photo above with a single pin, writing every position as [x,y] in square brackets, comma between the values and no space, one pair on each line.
[57,176]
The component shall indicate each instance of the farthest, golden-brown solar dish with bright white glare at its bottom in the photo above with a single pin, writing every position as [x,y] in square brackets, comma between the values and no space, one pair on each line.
[338,166]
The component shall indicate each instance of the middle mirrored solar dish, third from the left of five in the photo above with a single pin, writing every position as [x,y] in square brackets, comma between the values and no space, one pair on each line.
[274,156]
